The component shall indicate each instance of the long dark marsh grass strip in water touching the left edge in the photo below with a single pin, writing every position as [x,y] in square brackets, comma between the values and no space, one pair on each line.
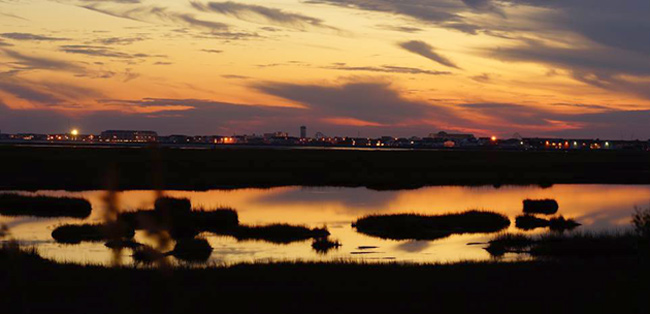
[43,206]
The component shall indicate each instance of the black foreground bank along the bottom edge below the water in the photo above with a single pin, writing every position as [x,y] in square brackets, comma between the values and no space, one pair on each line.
[612,285]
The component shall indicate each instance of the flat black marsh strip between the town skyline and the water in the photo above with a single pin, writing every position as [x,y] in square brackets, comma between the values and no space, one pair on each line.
[84,168]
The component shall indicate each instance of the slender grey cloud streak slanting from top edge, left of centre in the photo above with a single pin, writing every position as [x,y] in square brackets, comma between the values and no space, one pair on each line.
[252,13]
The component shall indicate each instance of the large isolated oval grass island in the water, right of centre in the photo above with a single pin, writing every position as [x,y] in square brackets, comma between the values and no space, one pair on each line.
[421,227]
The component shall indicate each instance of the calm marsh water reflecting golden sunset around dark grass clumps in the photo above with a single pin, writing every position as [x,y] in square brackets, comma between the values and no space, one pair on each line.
[597,207]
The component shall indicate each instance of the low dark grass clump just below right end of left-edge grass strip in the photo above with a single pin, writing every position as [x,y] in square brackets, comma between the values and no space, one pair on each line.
[73,234]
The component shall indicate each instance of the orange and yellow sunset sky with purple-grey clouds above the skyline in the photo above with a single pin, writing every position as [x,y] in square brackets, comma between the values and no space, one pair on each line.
[567,68]
